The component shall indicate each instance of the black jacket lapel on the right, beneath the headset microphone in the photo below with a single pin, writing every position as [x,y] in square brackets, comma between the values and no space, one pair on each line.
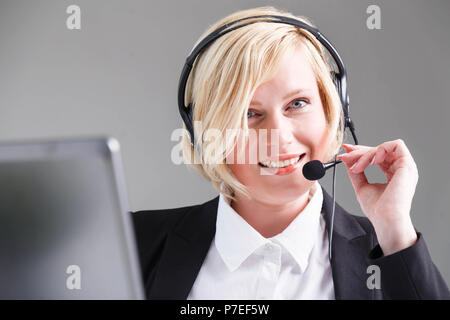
[351,245]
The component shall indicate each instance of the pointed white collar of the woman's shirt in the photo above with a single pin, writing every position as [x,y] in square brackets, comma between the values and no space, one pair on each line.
[235,239]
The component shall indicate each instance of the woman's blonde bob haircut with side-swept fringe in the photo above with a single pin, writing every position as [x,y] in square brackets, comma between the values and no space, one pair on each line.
[224,78]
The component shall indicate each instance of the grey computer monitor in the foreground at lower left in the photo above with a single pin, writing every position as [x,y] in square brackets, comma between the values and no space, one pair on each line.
[65,227]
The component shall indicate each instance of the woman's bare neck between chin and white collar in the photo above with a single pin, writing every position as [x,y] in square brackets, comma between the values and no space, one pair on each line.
[269,219]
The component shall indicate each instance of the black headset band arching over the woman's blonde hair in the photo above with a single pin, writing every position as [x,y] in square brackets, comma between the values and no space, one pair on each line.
[340,78]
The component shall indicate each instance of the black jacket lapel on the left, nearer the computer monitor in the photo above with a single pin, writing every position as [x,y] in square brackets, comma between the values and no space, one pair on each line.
[184,252]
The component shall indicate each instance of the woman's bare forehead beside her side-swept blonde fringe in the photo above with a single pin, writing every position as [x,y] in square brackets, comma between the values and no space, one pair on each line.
[293,72]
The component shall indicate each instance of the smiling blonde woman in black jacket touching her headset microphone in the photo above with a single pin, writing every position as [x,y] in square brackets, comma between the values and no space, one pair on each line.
[266,235]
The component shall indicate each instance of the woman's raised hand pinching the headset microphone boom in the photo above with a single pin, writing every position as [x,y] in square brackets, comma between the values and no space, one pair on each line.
[388,205]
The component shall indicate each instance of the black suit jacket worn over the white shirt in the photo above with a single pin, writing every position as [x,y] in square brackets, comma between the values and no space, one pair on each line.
[173,244]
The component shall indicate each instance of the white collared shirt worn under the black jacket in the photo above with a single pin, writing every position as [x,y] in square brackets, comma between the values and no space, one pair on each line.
[241,264]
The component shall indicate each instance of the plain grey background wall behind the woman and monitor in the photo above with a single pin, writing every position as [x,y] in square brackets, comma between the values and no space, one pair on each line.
[118,76]
